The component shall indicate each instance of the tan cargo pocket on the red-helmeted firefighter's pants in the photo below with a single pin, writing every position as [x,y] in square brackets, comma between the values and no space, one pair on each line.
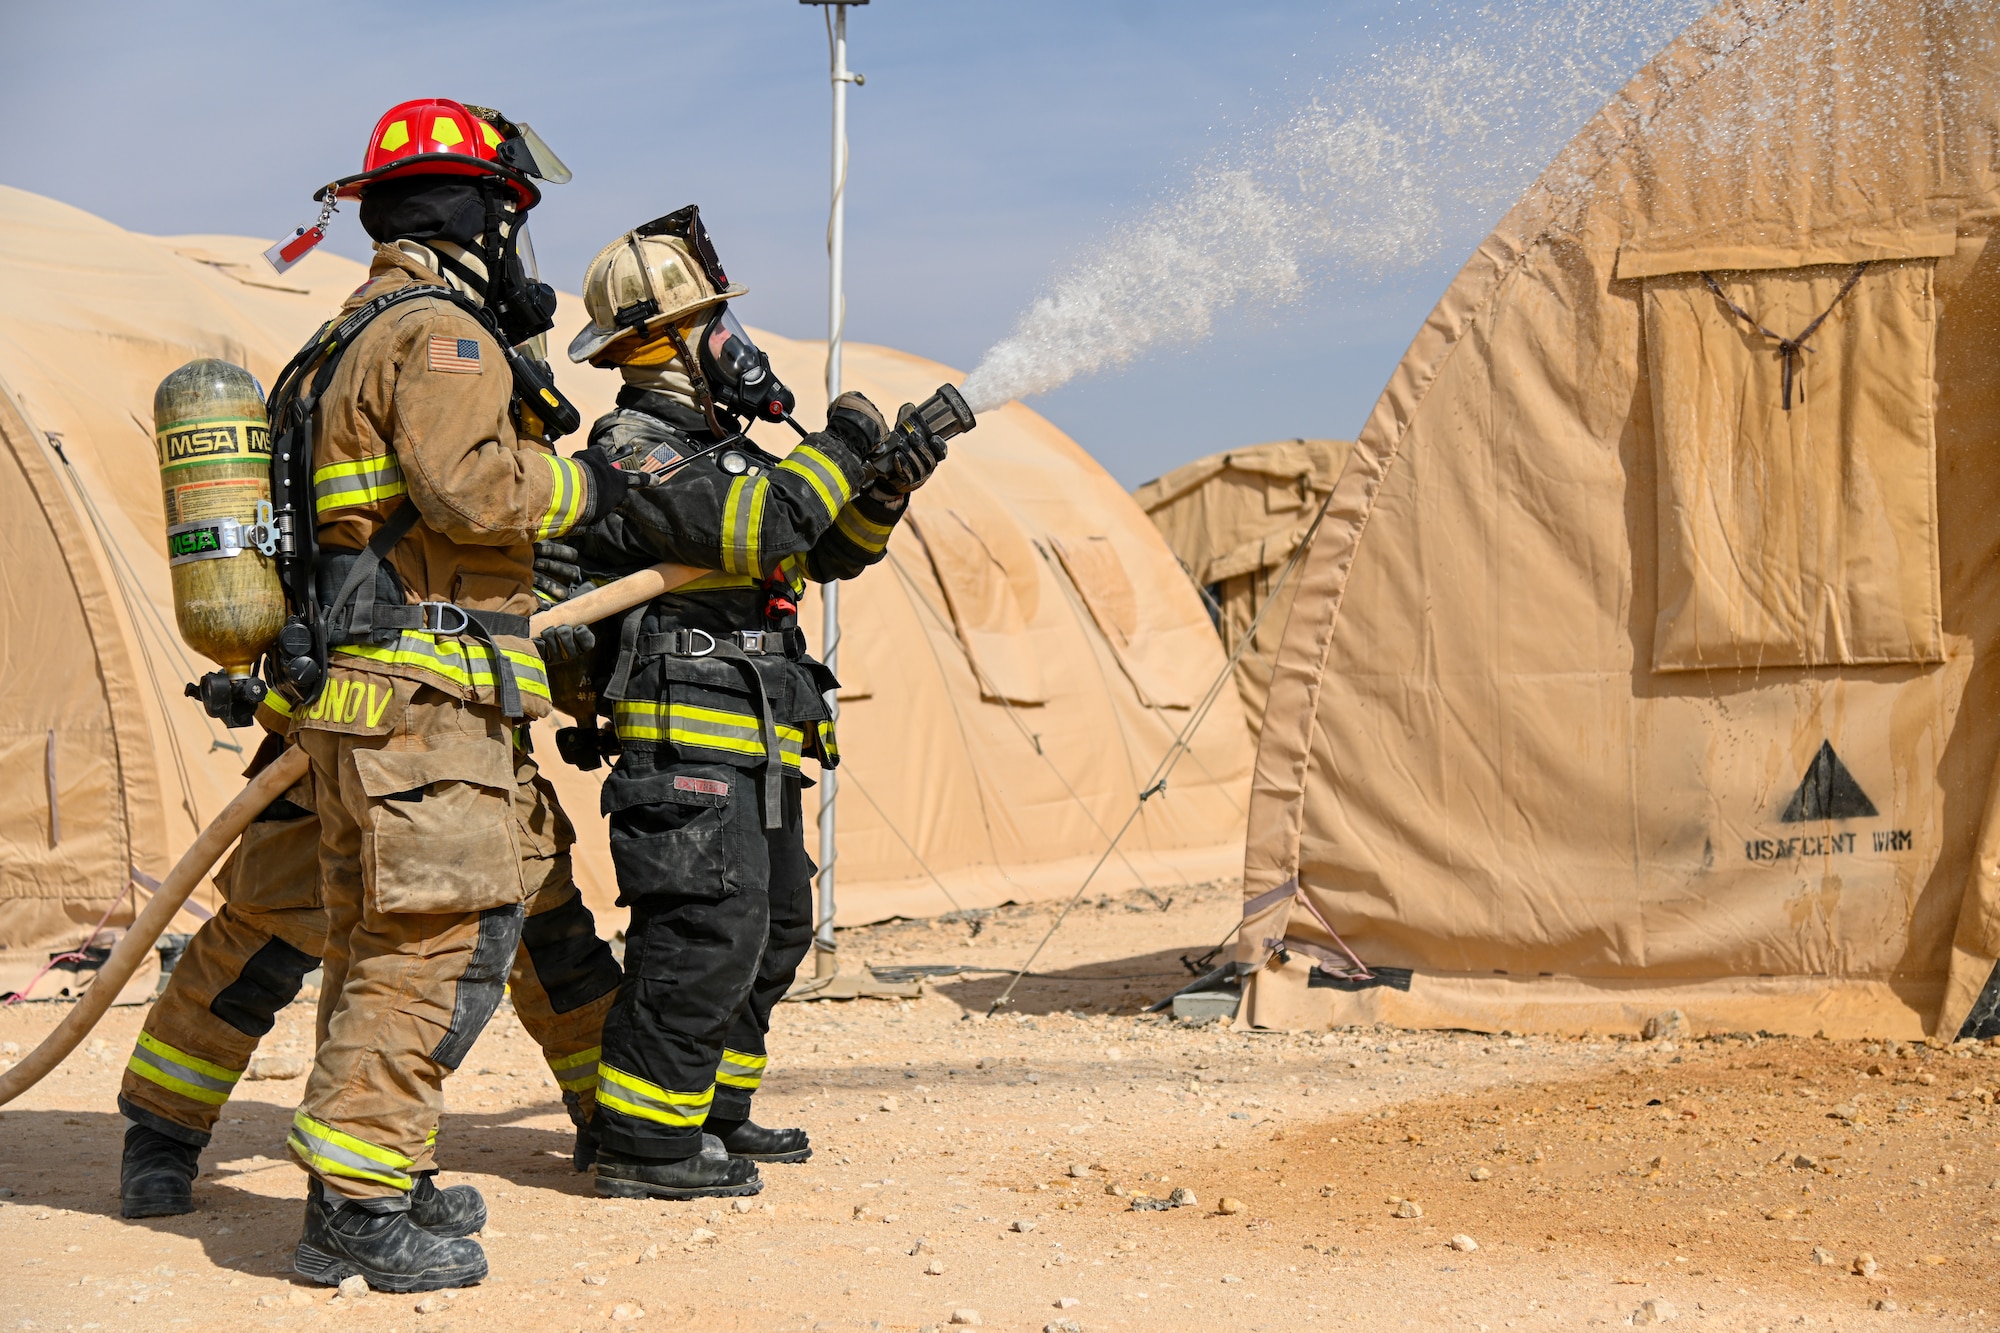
[441,830]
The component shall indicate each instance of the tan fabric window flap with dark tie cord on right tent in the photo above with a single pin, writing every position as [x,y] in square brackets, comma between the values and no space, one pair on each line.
[1795,417]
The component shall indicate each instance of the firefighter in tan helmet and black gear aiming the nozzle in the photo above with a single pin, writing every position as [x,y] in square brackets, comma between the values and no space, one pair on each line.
[713,698]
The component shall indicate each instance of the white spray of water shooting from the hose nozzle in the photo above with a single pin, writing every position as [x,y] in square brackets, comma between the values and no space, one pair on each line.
[1373,177]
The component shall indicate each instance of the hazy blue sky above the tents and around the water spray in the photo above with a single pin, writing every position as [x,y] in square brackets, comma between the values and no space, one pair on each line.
[991,147]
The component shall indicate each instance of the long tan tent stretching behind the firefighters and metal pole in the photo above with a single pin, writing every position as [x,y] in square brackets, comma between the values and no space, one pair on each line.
[1027,569]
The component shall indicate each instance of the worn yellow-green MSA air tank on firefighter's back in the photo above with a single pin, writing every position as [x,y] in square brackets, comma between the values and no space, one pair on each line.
[215,467]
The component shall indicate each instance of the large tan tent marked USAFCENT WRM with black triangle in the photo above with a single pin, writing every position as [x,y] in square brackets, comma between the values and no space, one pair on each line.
[1647,653]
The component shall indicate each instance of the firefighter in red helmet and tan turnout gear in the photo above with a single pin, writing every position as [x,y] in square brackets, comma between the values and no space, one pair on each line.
[413,678]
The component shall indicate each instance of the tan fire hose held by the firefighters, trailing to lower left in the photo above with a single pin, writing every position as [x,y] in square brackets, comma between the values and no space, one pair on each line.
[243,810]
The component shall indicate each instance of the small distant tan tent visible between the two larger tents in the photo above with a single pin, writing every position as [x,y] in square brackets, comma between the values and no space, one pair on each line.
[1235,521]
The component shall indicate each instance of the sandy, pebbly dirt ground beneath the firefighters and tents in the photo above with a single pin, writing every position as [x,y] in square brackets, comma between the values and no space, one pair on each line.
[987,1172]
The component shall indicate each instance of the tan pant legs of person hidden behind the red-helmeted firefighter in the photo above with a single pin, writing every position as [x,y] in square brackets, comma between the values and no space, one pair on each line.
[251,960]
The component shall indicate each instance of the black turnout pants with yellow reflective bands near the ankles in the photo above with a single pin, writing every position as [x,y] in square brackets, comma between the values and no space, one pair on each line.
[721,922]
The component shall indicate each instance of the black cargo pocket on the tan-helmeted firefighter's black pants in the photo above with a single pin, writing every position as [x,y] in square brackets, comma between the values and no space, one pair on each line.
[679,834]
